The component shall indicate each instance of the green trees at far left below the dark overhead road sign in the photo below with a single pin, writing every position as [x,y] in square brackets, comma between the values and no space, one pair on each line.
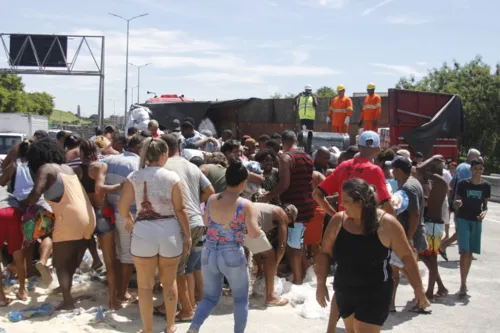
[13,98]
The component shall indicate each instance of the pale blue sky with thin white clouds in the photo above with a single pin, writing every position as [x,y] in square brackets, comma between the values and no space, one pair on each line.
[232,49]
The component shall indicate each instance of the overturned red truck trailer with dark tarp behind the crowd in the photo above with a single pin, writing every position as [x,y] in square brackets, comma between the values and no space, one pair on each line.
[419,121]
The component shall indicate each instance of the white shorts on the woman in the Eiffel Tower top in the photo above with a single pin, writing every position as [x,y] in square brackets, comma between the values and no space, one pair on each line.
[158,237]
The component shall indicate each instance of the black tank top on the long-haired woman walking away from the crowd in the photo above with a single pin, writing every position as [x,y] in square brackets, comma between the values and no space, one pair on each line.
[362,261]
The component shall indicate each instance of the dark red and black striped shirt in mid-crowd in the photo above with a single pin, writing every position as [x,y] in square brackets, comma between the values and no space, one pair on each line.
[299,192]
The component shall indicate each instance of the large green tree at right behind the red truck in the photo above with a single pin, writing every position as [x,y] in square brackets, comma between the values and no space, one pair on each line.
[479,87]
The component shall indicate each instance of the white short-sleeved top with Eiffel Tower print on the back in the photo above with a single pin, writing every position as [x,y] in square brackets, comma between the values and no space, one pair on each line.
[153,192]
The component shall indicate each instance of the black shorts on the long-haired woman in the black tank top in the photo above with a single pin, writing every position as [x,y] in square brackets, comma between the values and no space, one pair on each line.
[369,305]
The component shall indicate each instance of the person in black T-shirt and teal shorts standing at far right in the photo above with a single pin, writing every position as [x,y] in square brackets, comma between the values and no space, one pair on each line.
[472,202]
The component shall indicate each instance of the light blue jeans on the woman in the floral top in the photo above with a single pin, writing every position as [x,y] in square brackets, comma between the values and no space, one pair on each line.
[221,260]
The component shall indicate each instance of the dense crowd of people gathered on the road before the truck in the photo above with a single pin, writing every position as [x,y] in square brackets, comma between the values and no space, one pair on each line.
[193,209]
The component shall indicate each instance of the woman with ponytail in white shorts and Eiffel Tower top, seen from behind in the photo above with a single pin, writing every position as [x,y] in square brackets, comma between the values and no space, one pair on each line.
[160,232]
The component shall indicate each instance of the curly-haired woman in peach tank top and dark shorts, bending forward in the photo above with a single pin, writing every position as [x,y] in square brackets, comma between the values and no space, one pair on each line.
[74,215]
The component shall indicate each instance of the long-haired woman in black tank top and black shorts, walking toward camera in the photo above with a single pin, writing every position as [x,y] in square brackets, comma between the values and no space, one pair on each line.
[361,240]
